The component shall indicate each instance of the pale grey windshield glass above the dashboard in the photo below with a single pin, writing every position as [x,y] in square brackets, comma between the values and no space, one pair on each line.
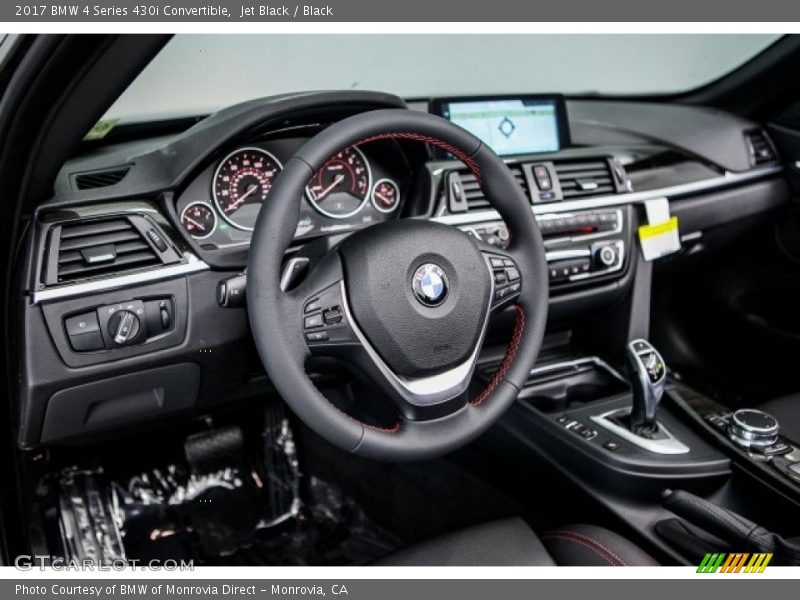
[198,74]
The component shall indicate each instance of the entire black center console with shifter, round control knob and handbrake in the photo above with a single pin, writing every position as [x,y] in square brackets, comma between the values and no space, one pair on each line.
[678,468]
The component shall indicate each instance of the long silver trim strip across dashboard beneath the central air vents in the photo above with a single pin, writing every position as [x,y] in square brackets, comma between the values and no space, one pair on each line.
[705,185]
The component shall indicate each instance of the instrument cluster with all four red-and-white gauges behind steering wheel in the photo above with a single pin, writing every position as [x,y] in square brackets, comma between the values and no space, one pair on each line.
[356,188]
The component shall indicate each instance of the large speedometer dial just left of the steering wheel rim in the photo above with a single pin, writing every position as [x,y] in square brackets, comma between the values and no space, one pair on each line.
[242,182]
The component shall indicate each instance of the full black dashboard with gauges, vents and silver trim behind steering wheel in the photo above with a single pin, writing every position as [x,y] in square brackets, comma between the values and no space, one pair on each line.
[133,276]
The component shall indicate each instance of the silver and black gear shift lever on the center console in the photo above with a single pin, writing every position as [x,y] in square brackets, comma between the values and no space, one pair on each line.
[648,378]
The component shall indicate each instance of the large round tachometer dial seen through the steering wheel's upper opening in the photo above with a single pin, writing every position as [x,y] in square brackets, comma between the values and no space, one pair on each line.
[341,187]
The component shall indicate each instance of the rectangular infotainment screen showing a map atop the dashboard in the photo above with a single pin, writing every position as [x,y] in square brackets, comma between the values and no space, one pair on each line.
[510,125]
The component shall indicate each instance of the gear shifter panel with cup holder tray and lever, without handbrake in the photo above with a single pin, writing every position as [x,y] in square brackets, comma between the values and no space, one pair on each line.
[609,426]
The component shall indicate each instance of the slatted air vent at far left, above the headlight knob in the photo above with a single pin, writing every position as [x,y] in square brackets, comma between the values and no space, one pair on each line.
[105,246]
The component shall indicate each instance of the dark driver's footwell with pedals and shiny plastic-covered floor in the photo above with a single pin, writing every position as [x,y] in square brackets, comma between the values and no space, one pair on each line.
[219,507]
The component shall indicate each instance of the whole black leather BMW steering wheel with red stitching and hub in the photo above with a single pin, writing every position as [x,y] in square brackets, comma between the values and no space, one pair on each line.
[405,302]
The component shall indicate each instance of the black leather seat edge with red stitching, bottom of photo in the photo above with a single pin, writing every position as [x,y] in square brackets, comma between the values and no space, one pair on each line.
[510,542]
